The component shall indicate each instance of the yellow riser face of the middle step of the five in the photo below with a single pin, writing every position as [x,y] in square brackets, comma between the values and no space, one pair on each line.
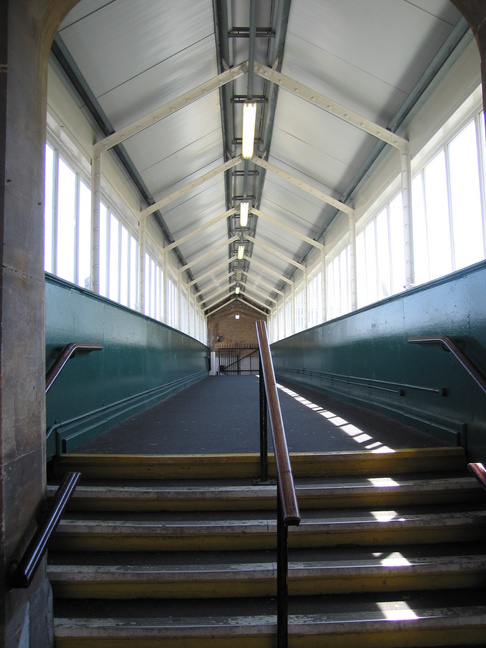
[117,541]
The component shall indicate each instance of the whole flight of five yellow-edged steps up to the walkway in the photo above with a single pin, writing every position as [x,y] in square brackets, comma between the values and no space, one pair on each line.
[180,552]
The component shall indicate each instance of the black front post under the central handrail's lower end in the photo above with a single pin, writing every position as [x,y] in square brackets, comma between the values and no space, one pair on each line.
[282,577]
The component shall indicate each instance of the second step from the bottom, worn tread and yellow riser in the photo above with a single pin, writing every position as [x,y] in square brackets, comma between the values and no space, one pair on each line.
[329,572]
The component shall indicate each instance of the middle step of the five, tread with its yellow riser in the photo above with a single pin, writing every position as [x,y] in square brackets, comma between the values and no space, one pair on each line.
[257,530]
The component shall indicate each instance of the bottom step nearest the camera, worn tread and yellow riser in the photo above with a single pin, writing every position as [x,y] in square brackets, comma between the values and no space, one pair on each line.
[444,619]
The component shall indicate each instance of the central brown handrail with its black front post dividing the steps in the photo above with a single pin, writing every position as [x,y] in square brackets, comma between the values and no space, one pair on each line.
[287,506]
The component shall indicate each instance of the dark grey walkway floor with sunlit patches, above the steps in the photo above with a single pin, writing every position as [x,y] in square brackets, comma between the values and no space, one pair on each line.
[220,414]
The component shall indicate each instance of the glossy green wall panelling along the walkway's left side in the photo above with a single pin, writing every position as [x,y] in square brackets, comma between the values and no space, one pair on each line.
[141,363]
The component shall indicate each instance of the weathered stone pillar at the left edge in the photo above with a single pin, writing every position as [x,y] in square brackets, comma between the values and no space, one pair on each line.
[26,31]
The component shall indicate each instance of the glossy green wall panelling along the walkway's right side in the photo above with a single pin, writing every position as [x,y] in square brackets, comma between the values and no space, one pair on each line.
[365,357]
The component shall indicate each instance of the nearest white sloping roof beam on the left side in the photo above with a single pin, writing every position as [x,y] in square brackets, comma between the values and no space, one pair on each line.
[169,108]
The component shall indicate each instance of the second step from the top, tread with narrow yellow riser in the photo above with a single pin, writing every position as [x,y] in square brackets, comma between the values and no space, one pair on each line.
[329,493]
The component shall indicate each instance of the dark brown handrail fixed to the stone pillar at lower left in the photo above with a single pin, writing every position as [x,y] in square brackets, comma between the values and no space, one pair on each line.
[22,572]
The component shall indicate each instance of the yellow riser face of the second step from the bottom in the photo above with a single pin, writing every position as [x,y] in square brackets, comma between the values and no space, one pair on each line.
[265,587]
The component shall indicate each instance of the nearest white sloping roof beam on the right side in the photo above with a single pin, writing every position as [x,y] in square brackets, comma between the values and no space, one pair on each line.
[332,107]
